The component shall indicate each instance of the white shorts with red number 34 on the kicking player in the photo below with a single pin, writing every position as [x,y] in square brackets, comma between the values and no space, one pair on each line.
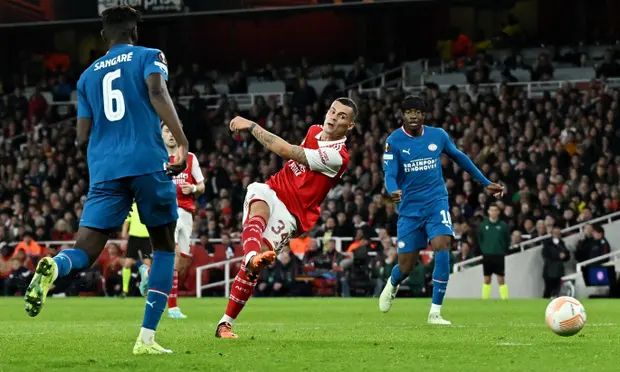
[281,225]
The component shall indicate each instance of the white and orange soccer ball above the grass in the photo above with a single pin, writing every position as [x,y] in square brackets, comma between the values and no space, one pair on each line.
[565,316]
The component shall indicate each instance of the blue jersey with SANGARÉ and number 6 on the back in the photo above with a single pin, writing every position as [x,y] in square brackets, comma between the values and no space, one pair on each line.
[125,136]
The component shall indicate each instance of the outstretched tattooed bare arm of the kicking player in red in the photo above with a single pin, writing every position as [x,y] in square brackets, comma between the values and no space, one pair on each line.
[271,141]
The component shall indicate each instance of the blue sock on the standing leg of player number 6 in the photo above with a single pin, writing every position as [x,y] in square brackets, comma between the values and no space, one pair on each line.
[160,283]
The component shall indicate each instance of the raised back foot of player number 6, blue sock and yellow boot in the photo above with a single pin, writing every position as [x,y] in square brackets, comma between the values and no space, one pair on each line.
[48,269]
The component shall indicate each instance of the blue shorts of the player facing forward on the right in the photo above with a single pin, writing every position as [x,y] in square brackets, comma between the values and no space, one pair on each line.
[414,233]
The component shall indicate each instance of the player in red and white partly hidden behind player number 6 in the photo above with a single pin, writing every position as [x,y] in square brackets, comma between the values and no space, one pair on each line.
[190,184]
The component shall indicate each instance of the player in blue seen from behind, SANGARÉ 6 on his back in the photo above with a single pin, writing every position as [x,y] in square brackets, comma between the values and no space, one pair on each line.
[121,98]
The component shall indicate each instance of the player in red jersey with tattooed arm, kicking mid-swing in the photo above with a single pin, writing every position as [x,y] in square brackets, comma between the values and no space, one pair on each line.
[288,204]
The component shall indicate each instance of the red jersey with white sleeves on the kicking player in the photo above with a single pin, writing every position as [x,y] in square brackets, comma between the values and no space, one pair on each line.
[303,190]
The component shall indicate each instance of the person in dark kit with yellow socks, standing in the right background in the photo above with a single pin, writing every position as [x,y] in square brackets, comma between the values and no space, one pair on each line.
[494,240]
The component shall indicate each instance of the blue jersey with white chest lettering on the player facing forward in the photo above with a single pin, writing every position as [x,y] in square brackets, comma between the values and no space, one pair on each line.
[413,165]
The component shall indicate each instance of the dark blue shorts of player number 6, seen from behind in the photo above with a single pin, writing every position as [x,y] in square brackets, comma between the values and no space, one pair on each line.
[108,202]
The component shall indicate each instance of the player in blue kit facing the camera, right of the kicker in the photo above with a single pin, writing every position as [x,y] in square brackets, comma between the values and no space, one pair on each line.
[414,180]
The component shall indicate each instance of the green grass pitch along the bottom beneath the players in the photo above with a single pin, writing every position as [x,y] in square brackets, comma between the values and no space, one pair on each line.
[318,334]
